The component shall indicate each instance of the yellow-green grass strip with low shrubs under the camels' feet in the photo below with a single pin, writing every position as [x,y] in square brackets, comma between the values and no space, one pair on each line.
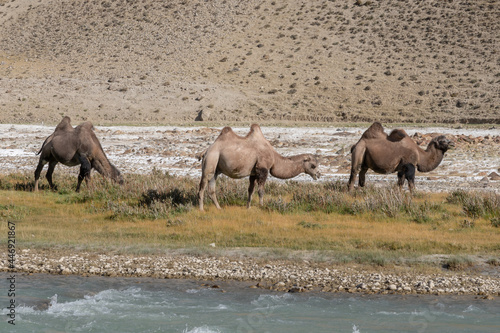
[158,211]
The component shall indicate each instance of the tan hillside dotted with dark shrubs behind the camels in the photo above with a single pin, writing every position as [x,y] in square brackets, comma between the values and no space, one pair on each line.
[155,61]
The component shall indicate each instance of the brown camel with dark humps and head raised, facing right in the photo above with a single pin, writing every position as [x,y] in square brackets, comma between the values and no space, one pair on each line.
[384,154]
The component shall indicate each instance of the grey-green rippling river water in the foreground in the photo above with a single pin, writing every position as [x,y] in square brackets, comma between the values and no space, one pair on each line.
[47,303]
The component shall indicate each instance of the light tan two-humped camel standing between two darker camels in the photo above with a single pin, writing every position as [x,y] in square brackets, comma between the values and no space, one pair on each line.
[253,156]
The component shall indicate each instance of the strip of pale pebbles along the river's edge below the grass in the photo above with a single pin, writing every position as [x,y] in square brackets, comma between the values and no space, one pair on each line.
[279,275]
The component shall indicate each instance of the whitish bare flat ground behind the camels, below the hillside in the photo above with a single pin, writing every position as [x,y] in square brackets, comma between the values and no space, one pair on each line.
[472,164]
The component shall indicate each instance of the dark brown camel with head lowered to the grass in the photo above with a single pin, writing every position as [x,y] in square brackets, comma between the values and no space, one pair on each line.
[75,146]
